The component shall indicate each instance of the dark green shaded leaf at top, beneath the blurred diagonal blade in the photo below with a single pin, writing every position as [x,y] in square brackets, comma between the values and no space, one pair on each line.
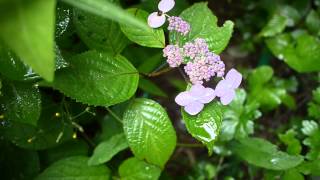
[98,33]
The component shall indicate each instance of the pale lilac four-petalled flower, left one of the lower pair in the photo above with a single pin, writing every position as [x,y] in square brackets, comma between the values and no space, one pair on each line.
[194,99]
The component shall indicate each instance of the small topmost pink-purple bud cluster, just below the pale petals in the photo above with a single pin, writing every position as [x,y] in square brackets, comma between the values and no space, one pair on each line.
[179,25]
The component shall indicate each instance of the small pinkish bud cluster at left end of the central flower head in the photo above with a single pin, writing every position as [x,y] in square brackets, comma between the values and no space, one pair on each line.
[173,54]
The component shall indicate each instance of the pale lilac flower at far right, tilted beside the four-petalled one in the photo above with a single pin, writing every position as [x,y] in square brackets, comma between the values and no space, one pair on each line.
[226,88]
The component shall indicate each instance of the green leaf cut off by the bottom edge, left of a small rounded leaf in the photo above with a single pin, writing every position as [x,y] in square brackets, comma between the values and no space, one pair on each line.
[74,168]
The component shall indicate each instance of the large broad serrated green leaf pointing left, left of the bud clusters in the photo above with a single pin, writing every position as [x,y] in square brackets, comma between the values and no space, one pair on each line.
[98,79]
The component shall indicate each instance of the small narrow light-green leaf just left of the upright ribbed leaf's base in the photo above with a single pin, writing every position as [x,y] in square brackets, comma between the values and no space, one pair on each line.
[107,149]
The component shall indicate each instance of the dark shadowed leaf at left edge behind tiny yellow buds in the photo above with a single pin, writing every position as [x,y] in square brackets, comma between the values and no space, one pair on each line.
[53,128]
